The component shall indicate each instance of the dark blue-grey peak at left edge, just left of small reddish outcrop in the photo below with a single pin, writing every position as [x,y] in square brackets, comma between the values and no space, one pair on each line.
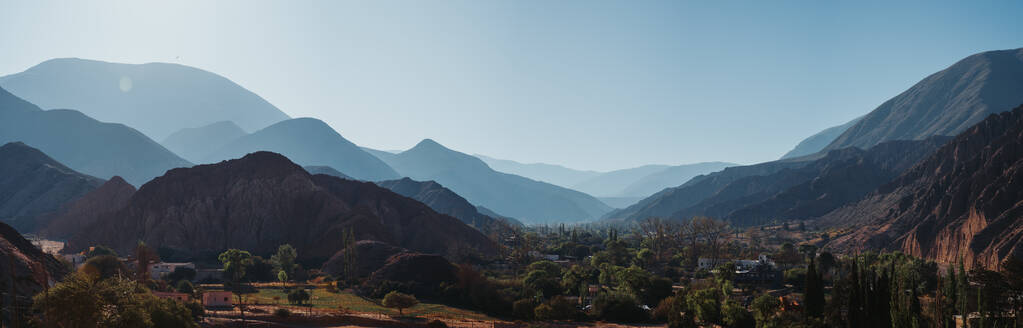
[33,184]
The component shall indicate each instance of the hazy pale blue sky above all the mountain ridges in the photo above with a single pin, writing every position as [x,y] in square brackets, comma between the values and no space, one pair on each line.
[587,84]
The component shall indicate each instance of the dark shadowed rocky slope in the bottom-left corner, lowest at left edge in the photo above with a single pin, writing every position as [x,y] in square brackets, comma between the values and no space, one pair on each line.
[25,269]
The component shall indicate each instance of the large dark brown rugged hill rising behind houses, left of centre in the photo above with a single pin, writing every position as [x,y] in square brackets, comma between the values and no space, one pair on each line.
[263,201]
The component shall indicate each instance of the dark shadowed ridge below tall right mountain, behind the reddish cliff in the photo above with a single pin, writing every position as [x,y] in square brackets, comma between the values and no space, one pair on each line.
[841,177]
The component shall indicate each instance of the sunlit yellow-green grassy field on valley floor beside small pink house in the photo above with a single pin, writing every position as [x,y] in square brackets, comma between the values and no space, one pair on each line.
[322,299]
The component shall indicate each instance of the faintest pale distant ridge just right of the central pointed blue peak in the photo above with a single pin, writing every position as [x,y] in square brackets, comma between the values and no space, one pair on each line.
[556,175]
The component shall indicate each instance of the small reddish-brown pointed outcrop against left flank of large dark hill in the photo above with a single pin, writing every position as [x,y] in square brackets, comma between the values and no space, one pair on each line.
[80,214]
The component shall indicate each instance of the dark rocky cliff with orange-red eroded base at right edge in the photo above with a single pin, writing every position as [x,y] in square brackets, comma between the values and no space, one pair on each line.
[962,203]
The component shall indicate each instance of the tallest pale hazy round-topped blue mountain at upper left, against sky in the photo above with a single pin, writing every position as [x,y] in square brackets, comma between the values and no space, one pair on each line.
[156,99]
